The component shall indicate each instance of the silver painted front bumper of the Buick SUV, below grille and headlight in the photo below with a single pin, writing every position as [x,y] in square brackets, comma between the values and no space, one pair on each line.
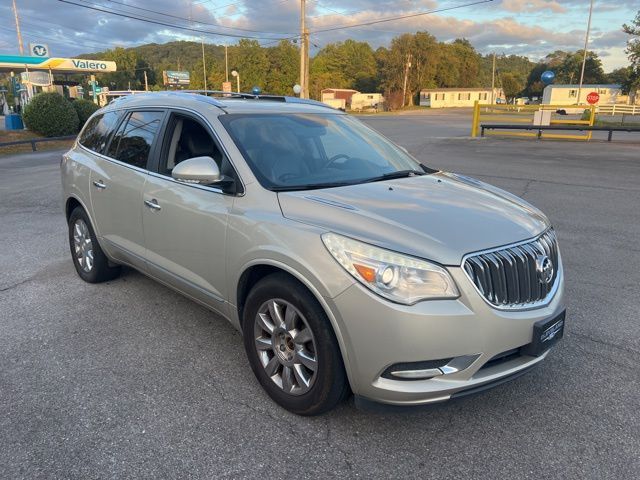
[377,334]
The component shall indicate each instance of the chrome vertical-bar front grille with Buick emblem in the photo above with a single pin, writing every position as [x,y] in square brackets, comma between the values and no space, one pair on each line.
[515,276]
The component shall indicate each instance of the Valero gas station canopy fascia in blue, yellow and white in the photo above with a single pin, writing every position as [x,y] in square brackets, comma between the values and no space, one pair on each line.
[10,63]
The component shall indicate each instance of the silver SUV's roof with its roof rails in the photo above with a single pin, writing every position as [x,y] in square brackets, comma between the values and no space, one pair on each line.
[238,103]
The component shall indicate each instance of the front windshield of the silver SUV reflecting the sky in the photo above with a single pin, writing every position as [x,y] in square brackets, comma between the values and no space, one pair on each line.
[299,151]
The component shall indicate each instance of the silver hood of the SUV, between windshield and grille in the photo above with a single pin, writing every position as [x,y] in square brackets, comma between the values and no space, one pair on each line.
[440,217]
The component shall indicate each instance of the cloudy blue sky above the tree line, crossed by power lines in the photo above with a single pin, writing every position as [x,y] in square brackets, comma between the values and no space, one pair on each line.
[525,27]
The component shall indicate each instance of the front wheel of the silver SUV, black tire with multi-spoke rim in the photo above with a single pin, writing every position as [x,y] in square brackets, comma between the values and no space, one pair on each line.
[291,346]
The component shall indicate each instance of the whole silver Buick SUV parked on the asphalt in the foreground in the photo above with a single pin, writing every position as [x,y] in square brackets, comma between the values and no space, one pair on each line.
[346,263]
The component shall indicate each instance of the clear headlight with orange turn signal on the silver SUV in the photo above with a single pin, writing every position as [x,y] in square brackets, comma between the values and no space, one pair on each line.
[398,277]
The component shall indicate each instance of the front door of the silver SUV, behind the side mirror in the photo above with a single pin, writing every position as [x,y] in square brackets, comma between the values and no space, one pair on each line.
[185,226]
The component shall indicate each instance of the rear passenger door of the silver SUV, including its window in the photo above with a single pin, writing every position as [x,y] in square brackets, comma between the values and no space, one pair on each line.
[118,182]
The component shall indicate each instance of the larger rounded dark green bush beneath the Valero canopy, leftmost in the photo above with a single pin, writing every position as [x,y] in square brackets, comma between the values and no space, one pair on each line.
[51,115]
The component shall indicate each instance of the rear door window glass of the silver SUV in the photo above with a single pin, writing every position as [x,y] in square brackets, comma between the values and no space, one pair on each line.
[132,142]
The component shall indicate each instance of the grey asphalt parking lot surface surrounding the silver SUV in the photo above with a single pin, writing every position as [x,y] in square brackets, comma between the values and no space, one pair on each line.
[130,380]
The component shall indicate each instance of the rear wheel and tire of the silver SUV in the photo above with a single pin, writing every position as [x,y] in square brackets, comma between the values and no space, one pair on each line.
[90,261]
